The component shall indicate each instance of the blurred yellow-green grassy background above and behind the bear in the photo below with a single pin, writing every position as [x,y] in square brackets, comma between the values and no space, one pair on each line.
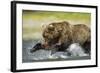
[34,20]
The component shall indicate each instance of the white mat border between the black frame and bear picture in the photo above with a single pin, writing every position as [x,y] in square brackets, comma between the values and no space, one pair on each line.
[37,65]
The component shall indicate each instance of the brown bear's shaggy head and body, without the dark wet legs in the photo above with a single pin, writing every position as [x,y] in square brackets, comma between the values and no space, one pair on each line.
[58,33]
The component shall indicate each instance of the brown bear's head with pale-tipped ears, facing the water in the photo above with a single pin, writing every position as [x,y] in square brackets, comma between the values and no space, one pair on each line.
[51,34]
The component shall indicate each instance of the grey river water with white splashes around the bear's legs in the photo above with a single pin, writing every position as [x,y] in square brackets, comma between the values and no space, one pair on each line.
[77,53]
